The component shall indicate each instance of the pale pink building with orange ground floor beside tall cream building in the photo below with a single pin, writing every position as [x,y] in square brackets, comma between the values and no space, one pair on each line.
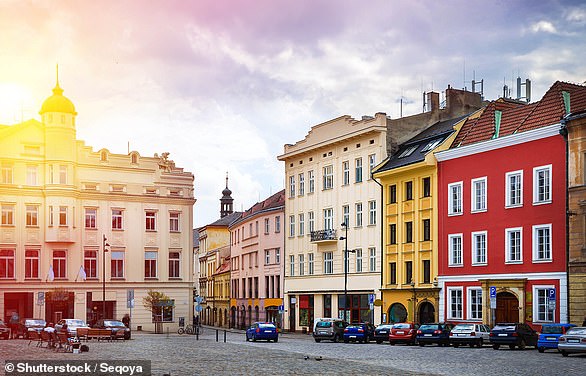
[257,240]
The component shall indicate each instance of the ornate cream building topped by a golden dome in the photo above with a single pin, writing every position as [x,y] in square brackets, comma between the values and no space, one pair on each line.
[62,201]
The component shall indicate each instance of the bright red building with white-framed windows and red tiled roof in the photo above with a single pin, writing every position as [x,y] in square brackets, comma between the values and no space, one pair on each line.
[502,213]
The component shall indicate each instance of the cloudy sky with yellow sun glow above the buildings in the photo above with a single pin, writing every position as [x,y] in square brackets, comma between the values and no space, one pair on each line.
[223,85]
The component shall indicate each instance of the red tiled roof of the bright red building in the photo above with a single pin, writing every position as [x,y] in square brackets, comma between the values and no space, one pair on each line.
[518,117]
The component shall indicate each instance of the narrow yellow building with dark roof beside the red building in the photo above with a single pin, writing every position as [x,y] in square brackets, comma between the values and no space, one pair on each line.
[409,179]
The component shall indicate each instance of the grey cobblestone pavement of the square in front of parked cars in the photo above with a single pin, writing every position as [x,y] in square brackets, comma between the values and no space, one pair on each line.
[184,355]
